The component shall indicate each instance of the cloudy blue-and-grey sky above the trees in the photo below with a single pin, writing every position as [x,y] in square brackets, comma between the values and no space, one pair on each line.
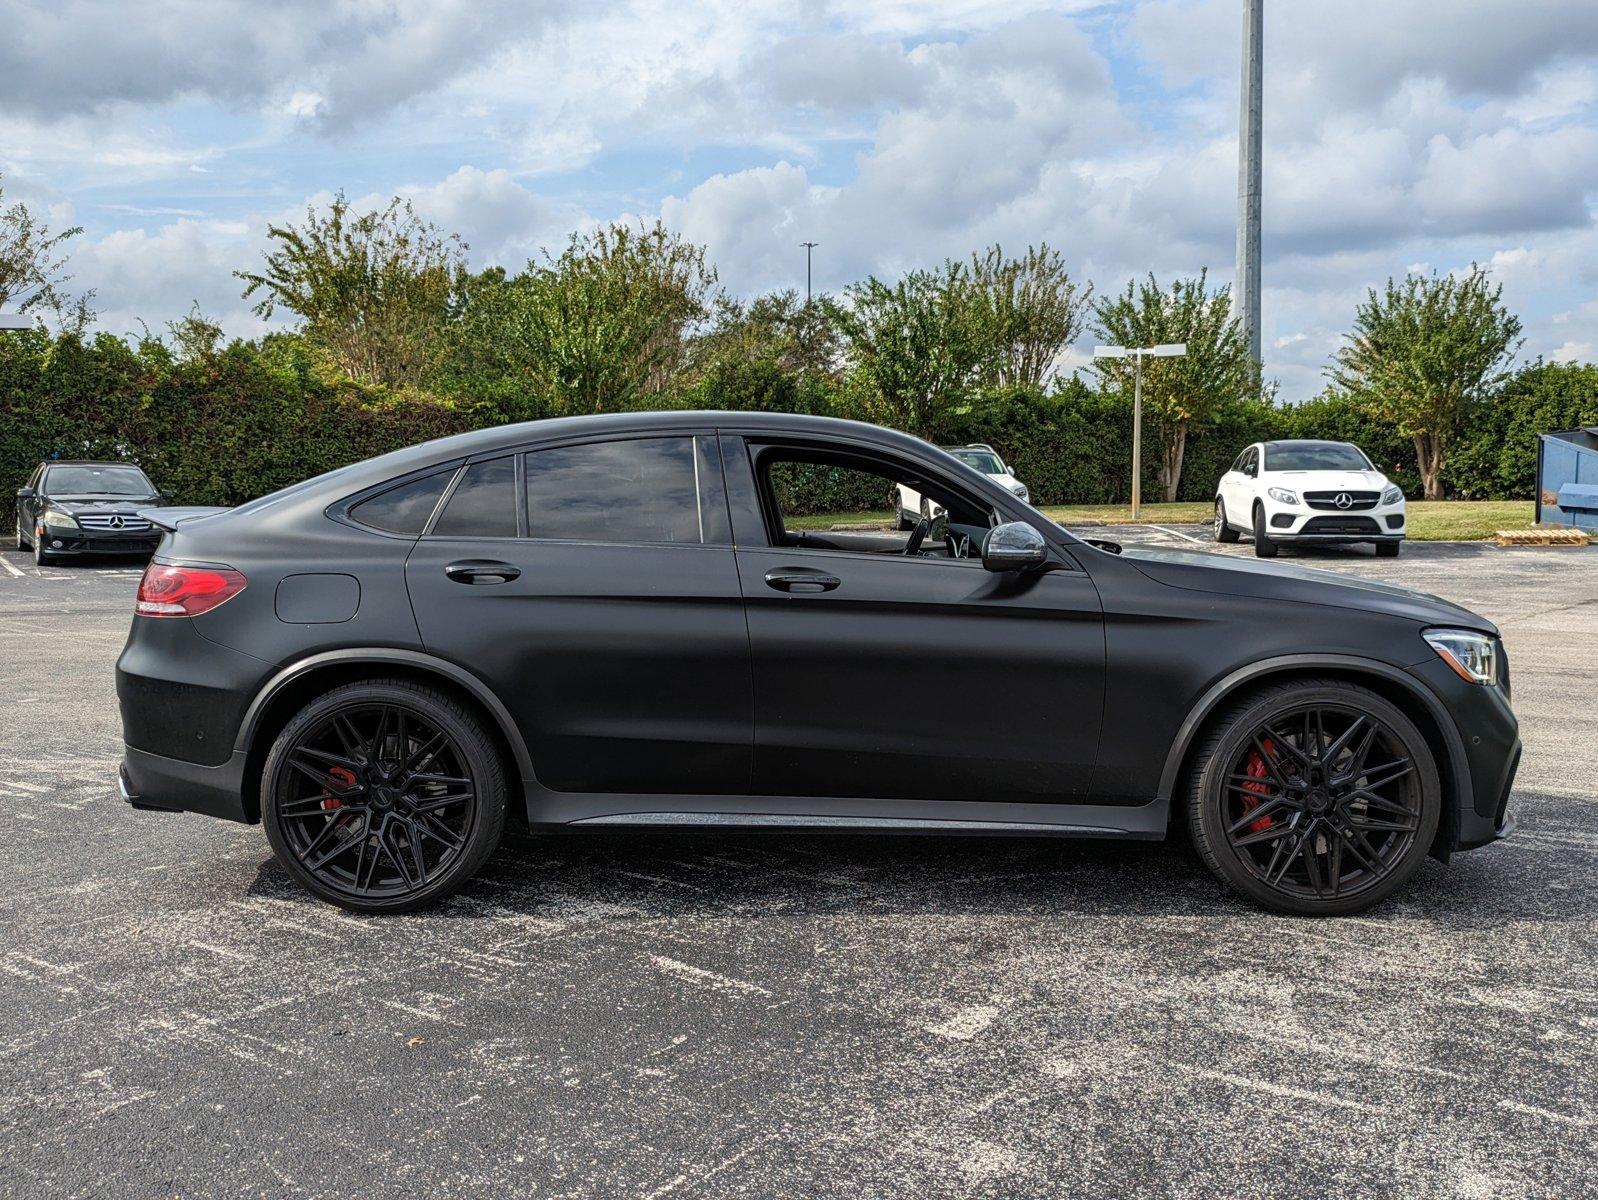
[1399,135]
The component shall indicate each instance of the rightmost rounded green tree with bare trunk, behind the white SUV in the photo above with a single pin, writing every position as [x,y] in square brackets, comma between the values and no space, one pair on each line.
[1423,354]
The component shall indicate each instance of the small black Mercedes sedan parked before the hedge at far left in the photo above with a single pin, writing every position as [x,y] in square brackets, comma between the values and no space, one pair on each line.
[76,509]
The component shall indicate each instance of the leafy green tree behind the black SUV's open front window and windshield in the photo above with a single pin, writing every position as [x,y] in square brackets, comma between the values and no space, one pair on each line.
[915,346]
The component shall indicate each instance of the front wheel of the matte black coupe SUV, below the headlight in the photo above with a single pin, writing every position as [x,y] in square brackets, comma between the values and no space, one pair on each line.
[1343,844]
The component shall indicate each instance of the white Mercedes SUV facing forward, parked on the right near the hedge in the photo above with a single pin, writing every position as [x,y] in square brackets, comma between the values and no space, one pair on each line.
[1308,491]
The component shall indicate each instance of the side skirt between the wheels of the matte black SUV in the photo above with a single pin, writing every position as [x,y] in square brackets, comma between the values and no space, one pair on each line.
[1147,822]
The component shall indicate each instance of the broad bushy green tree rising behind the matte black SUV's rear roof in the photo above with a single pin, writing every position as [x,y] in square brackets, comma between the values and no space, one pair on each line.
[598,328]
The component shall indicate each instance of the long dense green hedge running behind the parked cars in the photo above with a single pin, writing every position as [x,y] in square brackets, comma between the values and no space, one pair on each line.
[256,418]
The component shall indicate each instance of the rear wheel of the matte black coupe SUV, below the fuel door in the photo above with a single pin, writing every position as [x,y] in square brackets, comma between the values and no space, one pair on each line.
[383,729]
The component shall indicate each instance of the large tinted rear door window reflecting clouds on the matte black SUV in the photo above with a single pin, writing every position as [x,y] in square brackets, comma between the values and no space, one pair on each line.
[614,491]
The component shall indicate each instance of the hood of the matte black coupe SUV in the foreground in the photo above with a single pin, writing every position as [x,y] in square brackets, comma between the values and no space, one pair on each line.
[1201,571]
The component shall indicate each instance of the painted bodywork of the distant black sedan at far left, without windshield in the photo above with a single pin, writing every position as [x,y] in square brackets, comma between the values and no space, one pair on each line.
[106,525]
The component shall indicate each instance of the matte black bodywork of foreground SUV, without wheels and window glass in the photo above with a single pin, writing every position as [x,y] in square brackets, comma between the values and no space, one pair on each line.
[677,685]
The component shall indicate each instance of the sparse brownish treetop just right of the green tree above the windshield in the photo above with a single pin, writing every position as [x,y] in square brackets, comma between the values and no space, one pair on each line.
[1032,312]
